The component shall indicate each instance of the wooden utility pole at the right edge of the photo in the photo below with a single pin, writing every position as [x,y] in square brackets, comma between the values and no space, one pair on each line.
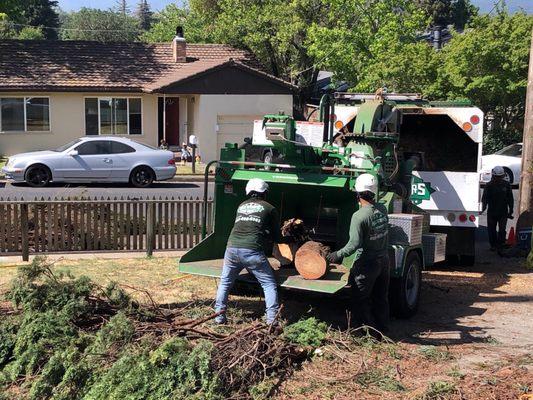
[525,205]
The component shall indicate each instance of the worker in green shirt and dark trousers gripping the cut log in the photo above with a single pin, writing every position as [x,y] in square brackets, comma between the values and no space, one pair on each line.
[369,277]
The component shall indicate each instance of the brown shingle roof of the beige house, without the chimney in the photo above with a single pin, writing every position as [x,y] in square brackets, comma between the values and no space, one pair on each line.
[118,67]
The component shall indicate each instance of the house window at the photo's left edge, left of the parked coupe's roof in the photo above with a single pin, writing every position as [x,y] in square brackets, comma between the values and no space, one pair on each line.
[21,114]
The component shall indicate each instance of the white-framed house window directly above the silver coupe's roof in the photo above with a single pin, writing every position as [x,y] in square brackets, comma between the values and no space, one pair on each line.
[113,116]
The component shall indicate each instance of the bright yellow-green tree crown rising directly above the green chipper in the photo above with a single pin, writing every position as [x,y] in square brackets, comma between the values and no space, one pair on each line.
[367,43]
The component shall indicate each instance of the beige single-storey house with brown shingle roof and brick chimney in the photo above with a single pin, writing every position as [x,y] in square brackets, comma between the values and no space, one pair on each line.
[52,92]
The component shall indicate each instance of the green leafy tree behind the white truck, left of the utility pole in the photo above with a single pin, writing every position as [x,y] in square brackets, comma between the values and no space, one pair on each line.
[488,64]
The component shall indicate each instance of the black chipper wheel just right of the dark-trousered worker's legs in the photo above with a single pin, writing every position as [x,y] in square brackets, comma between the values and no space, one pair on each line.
[405,291]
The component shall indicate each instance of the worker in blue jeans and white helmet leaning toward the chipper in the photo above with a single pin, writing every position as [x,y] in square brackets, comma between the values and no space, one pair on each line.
[256,224]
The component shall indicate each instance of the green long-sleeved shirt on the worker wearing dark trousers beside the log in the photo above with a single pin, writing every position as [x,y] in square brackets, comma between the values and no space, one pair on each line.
[369,231]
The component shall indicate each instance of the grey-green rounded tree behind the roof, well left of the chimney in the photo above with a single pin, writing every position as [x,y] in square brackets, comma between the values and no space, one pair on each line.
[99,25]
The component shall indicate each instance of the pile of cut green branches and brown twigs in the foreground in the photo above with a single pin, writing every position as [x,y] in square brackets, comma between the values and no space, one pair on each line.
[67,338]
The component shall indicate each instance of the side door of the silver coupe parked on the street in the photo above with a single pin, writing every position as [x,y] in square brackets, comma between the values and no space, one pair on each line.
[94,161]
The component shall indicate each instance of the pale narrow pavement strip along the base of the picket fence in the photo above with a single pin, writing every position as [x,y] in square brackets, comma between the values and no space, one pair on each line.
[7,261]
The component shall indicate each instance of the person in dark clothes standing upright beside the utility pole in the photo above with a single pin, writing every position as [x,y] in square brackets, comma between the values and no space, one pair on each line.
[498,198]
